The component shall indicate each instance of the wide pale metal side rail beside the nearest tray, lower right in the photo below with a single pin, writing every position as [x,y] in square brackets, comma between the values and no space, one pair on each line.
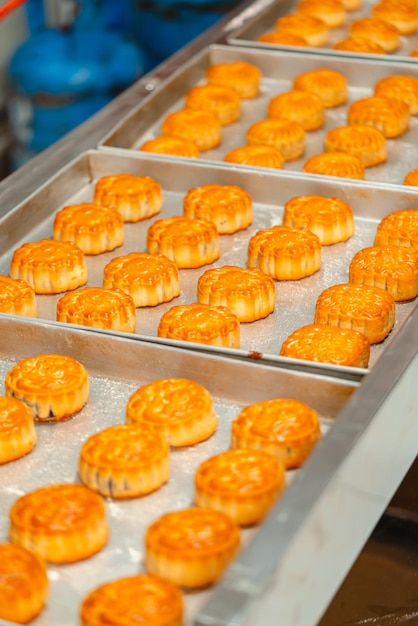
[291,572]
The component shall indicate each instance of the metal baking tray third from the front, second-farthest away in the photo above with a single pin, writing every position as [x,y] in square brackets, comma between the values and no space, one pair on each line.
[279,69]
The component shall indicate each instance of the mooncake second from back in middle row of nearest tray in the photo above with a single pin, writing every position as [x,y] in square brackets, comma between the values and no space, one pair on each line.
[124,461]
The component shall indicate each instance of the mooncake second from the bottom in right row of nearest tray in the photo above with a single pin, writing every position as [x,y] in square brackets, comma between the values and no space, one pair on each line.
[191,547]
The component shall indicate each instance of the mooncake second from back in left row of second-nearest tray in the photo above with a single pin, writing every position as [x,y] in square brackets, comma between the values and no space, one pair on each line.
[93,228]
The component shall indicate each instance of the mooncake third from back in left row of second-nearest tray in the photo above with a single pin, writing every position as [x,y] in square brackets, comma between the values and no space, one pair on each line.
[49,266]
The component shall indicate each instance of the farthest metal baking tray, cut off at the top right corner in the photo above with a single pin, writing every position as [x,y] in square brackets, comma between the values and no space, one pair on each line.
[265,20]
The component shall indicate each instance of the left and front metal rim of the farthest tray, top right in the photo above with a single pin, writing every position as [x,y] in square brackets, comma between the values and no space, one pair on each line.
[264,20]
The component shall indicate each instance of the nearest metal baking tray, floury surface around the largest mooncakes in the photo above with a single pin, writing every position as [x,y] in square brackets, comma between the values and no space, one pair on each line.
[117,367]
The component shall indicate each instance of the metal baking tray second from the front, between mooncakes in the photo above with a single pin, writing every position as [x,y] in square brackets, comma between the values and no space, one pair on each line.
[295,300]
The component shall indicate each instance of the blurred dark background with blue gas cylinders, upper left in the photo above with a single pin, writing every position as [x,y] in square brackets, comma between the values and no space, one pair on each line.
[63,60]
